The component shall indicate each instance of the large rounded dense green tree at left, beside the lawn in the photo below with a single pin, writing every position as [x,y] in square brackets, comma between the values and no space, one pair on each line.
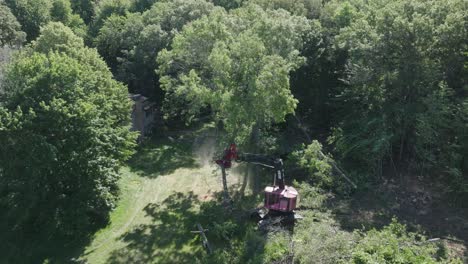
[65,128]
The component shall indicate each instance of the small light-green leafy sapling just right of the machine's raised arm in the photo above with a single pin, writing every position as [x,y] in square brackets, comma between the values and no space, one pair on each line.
[317,165]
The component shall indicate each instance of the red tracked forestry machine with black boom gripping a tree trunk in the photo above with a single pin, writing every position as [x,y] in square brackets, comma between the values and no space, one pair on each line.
[279,198]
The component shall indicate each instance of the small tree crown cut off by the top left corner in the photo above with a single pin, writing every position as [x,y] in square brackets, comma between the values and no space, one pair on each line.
[10,29]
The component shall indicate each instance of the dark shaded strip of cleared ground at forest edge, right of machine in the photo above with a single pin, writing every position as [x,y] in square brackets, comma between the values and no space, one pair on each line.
[375,208]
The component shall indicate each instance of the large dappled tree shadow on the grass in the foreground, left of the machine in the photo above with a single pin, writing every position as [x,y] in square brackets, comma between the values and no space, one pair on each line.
[167,238]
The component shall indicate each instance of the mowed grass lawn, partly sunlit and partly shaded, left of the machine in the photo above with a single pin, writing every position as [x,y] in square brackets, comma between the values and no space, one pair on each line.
[162,189]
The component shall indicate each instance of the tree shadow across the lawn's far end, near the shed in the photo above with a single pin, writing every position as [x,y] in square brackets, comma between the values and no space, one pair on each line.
[161,156]
